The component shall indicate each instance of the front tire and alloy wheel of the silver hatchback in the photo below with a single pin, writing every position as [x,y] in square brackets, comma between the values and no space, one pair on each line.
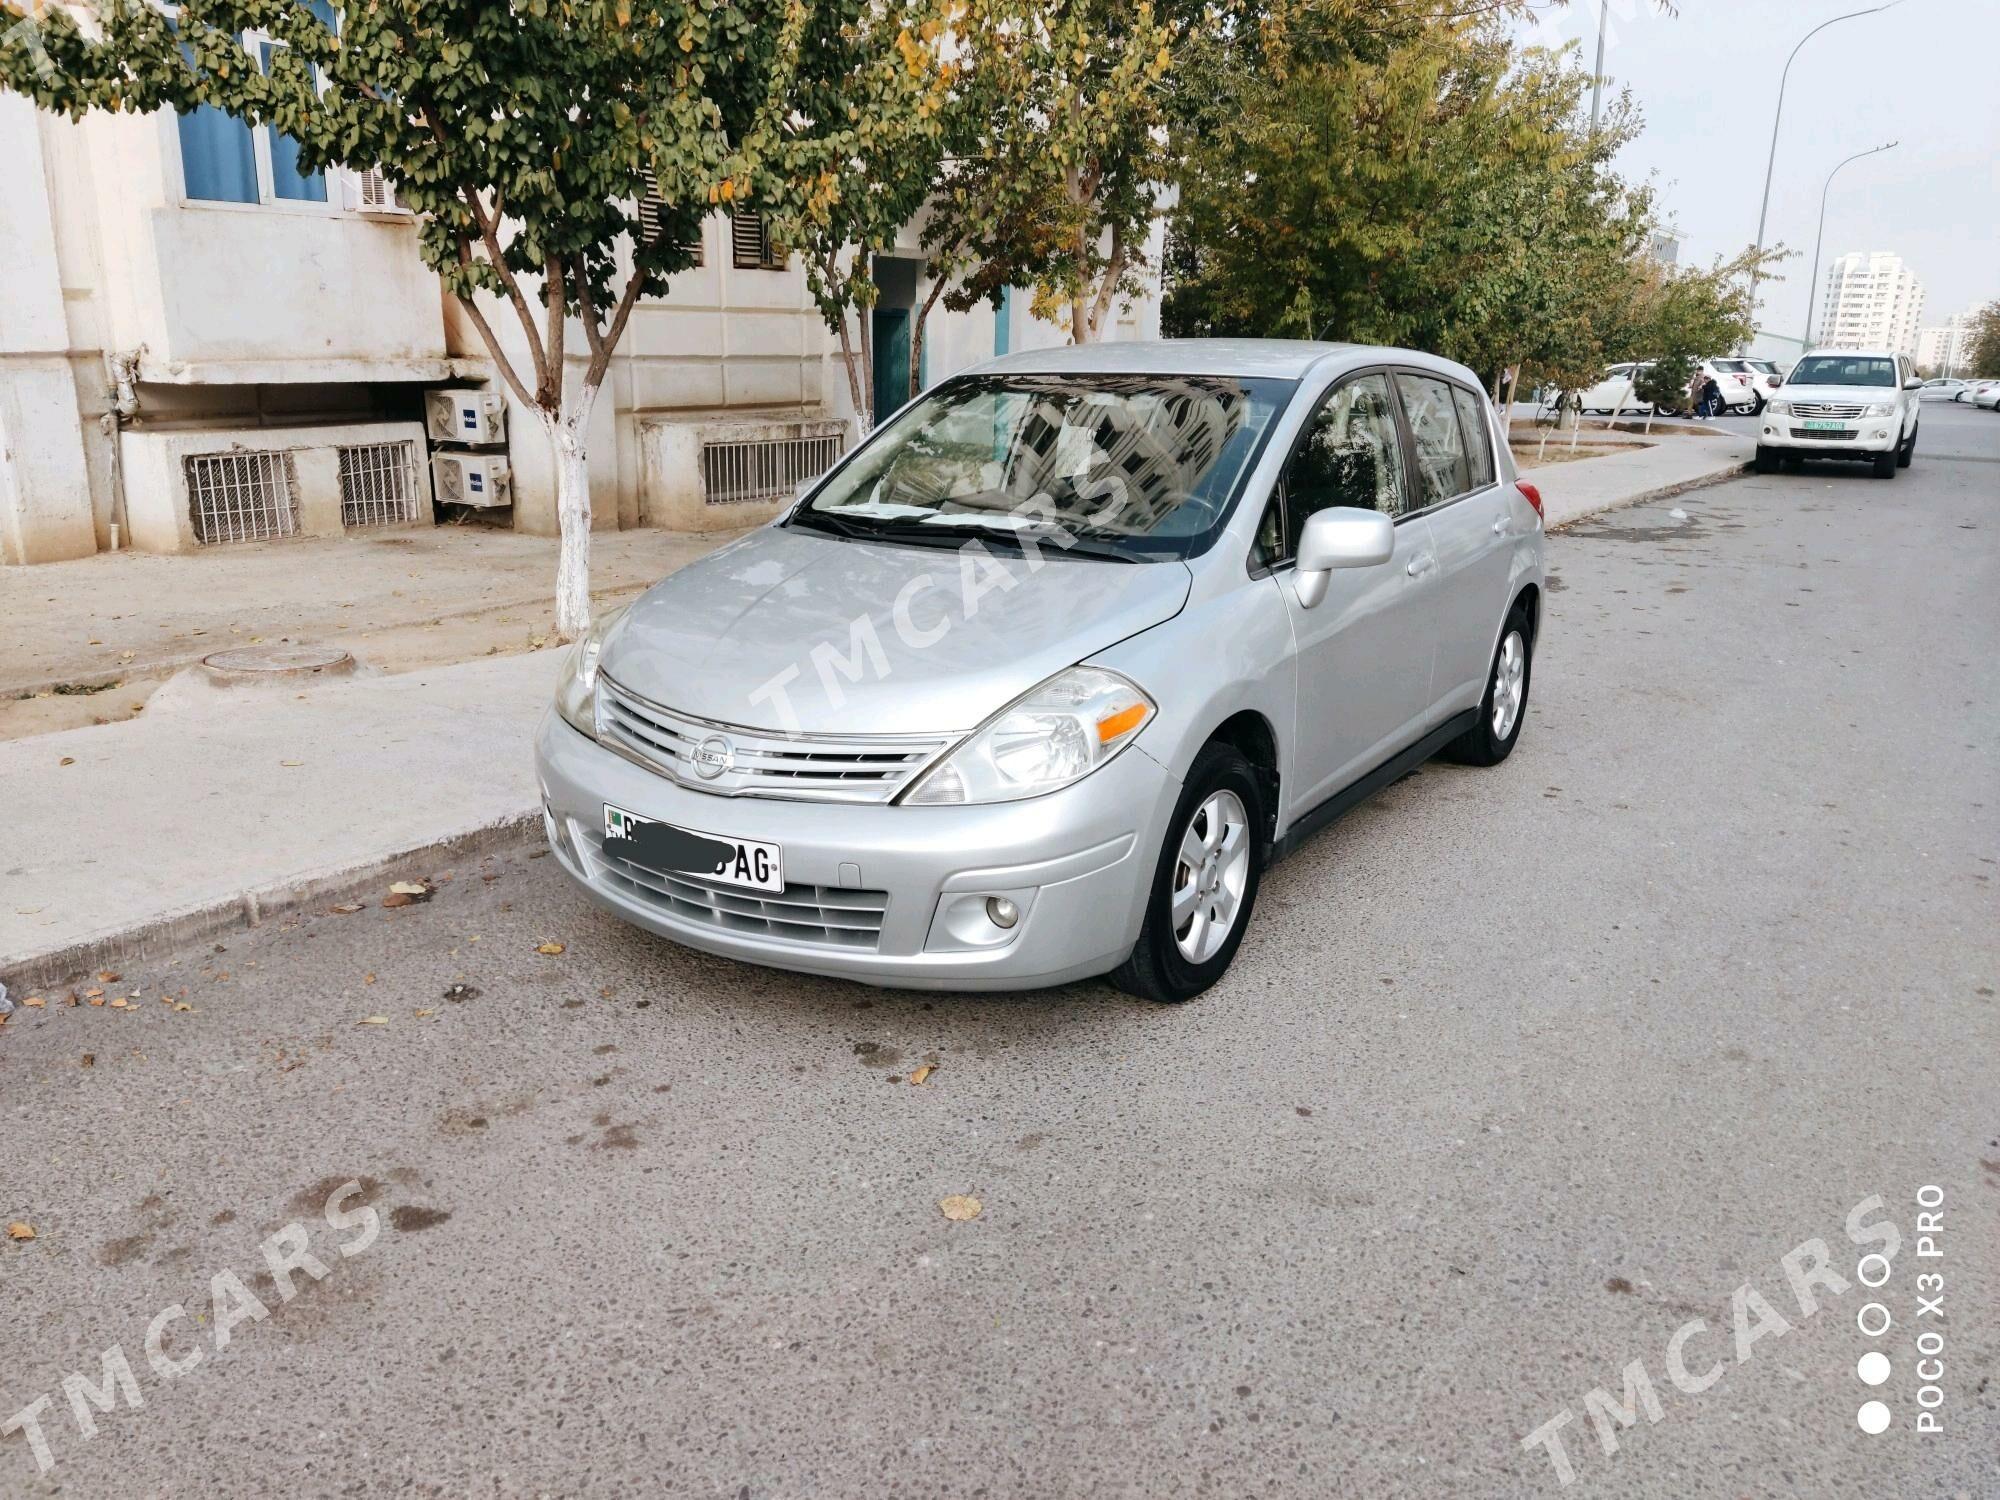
[1173,965]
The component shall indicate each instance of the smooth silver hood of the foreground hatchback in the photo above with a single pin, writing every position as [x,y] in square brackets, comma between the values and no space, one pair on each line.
[797,621]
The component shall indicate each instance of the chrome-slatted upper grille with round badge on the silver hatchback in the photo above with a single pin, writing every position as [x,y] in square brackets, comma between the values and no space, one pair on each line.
[759,763]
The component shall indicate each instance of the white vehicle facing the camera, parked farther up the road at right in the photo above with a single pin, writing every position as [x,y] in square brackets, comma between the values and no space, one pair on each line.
[1843,405]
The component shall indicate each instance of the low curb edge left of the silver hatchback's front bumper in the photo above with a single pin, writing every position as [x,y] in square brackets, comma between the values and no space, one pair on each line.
[25,973]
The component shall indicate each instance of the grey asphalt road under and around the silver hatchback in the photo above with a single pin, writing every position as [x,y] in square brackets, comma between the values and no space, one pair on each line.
[1519,1073]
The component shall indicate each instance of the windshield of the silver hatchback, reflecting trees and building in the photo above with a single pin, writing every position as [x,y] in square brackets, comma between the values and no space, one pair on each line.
[1133,467]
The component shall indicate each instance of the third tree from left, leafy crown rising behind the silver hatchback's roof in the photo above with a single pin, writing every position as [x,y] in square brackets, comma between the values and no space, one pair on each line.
[1057,159]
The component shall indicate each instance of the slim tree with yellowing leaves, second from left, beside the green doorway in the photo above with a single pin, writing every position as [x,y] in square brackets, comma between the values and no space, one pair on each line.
[883,85]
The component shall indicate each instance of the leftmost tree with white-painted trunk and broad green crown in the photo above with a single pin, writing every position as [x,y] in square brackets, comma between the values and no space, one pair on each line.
[525,133]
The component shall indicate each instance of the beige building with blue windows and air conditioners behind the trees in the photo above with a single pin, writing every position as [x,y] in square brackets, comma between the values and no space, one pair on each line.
[201,345]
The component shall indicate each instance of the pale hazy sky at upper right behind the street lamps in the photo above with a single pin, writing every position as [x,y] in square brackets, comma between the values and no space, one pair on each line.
[1707,83]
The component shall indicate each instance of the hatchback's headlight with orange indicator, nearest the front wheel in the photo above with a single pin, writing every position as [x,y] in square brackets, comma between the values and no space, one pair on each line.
[1049,737]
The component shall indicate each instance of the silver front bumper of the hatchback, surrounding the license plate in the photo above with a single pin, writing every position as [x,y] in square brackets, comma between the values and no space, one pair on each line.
[1075,863]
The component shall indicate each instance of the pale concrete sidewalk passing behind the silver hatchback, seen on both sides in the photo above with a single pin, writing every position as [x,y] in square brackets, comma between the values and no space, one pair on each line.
[221,807]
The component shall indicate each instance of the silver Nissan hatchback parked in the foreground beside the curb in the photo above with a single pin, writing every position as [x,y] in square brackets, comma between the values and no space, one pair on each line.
[1041,679]
